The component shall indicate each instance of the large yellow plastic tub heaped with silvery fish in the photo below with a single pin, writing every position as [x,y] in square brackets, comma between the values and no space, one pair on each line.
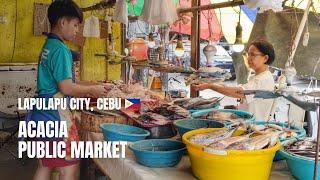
[236,164]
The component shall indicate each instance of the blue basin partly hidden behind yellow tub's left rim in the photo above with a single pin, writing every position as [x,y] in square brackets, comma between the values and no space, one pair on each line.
[185,125]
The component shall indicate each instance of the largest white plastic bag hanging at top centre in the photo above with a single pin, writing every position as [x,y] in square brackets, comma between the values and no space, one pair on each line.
[159,12]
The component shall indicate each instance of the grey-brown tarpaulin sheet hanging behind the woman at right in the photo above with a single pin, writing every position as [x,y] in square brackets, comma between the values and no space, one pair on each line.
[280,28]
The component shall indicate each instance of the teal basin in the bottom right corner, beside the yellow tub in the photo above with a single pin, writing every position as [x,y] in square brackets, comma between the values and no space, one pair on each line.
[300,167]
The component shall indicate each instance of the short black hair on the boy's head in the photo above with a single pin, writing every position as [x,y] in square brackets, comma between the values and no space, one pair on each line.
[63,8]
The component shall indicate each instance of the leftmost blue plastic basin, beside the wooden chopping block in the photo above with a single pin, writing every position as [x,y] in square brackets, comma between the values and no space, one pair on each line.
[122,132]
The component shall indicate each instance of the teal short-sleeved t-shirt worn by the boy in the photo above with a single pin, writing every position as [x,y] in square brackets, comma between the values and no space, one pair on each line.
[54,66]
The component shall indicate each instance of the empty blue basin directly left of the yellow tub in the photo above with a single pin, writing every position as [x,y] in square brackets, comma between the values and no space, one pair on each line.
[158,152]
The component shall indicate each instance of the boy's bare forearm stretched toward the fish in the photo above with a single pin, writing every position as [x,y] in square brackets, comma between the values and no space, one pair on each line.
[67,87]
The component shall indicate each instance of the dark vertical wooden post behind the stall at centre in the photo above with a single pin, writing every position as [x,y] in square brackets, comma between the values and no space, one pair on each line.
[195,44]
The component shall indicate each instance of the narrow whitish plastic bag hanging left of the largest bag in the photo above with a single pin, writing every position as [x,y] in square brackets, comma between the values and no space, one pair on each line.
[121,12]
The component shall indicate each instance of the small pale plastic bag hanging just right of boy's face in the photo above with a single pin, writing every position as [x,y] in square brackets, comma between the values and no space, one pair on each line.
[91,27]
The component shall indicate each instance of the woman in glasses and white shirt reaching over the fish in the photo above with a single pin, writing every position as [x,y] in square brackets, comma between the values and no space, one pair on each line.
[260,55]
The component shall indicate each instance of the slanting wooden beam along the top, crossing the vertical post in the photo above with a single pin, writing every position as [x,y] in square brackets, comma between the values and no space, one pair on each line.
[211,6]
